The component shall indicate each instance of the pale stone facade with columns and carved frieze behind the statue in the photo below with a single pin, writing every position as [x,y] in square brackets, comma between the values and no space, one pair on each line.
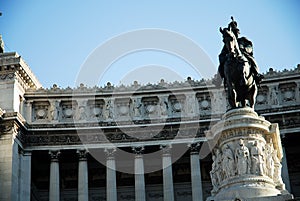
[36,124]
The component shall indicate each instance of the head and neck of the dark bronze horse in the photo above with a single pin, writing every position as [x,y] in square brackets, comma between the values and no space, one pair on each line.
[230,41]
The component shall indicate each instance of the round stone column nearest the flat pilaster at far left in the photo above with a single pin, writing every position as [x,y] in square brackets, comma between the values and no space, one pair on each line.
[54,176]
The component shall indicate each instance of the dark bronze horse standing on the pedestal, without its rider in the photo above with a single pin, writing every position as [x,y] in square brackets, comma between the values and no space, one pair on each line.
[238,78]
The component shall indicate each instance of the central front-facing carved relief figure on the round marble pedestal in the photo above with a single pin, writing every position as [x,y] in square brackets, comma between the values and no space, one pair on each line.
[242,158]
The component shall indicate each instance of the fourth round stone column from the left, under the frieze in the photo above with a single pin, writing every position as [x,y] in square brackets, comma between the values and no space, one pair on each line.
[139,174]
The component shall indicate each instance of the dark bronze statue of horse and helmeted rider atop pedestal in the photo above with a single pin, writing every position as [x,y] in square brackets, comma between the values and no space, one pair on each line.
[238,69]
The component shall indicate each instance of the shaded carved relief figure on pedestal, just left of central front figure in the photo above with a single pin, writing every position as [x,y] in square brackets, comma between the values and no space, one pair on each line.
[228,165]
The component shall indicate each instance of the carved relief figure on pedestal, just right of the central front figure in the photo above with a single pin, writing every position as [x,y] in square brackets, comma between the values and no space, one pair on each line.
[257,160]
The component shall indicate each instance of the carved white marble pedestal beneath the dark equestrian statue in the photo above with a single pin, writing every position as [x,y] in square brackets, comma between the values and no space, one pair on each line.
[247,153]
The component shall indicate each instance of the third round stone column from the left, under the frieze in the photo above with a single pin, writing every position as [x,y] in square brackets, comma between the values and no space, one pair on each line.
[111,183]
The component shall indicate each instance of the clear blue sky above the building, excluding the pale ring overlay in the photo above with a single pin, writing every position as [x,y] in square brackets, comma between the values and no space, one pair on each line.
[56,37]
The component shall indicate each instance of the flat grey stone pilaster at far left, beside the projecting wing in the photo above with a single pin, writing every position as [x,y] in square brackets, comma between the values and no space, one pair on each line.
[25,175]
